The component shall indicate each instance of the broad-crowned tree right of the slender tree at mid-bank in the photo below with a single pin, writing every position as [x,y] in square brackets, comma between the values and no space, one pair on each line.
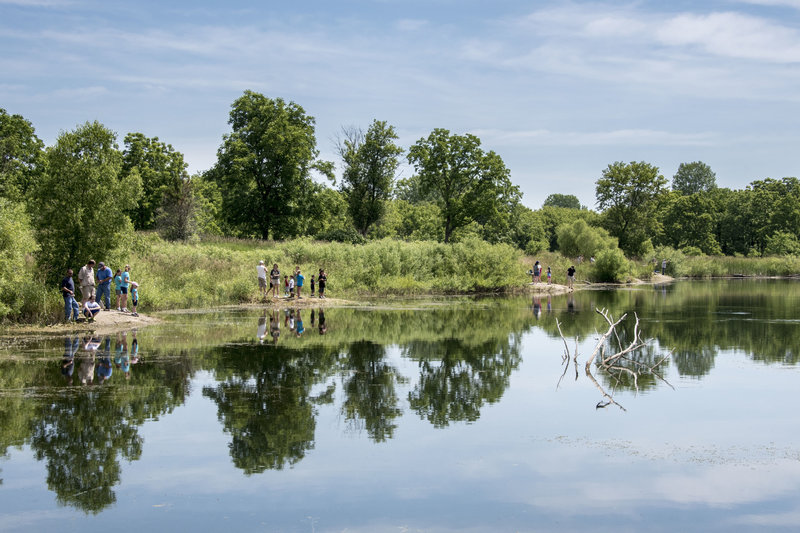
[467,183]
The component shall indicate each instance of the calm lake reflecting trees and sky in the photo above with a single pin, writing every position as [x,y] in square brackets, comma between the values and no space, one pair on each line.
[439,415]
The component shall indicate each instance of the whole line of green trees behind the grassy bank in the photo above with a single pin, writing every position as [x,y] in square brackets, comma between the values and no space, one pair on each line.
[87,196]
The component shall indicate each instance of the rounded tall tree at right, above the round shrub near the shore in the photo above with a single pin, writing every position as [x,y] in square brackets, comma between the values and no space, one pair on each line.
[629,195]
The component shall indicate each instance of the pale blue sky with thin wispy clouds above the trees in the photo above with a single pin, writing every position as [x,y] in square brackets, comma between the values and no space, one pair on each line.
[559,89]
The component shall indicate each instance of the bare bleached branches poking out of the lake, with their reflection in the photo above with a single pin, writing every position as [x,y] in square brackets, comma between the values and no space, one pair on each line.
[612,363]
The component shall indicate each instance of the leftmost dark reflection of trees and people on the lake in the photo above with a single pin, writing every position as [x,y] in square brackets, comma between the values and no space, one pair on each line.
[82,432]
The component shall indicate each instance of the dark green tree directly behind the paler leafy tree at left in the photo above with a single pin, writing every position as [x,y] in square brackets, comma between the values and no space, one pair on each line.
[161,169]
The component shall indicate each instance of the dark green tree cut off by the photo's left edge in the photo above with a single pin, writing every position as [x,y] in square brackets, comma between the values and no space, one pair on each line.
[21,154]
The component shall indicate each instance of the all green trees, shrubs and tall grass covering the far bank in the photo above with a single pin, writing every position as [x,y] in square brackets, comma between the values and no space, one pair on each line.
[456,225]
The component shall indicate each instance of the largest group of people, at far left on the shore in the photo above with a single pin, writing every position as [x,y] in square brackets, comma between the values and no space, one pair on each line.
[96,290]
